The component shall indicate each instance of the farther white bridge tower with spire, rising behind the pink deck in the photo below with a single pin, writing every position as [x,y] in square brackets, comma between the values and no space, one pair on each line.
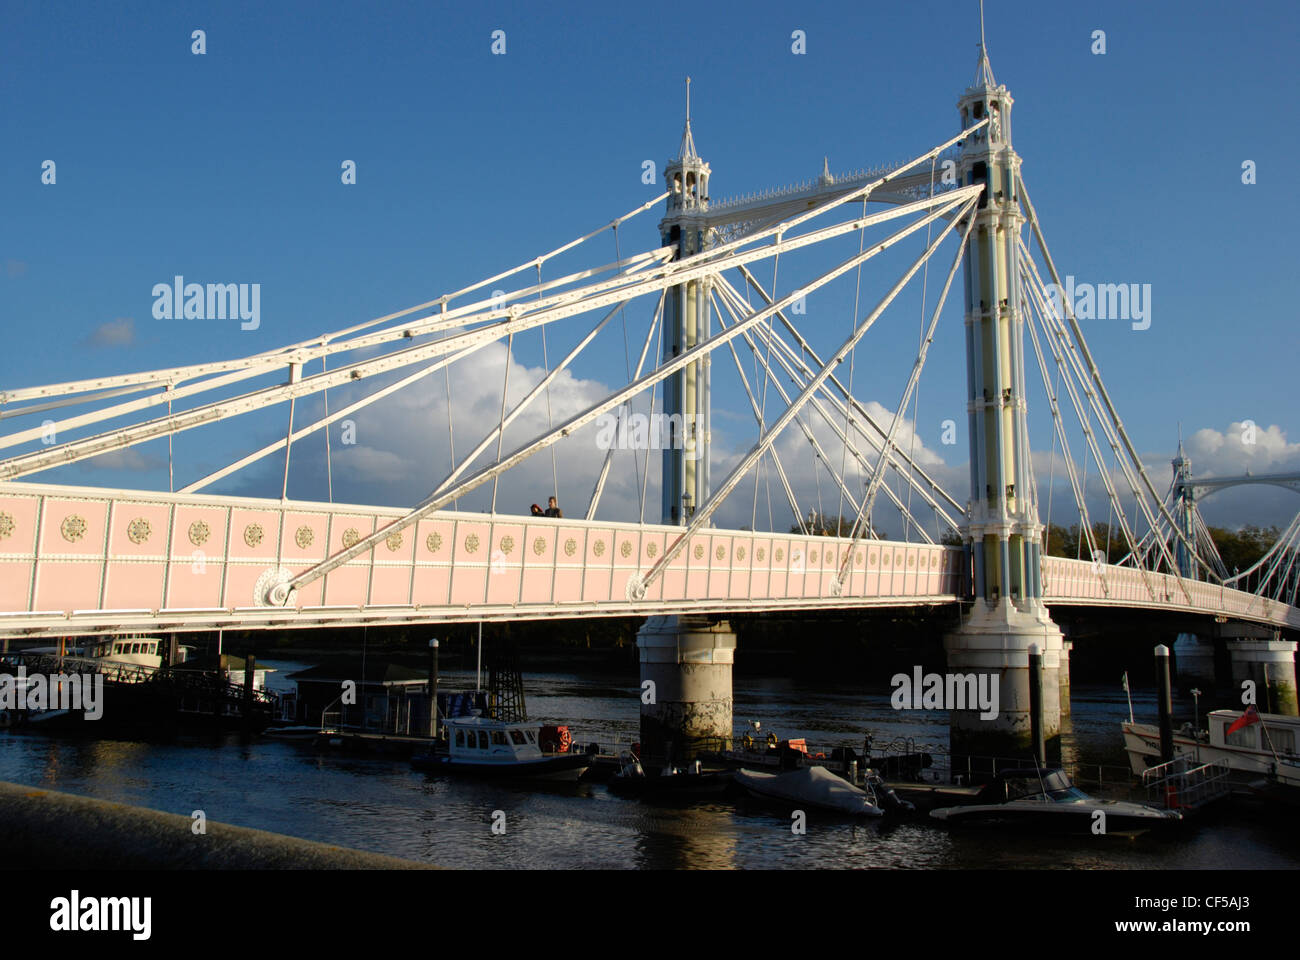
[687,322]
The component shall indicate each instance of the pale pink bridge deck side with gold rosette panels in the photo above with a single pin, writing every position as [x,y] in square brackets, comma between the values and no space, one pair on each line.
[83,561]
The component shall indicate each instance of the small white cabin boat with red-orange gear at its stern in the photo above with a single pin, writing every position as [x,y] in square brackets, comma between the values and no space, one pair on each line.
[486,747]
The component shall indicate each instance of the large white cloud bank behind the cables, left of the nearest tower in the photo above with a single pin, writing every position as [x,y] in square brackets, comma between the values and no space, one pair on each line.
[402,453]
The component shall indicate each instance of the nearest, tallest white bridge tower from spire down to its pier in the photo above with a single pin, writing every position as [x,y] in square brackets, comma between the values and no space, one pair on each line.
[1002,533]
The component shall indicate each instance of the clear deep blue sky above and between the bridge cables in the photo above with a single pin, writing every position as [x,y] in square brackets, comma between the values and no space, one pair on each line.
[226,168]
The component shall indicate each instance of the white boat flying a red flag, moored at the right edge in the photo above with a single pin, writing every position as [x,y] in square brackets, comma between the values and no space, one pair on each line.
[1253,751]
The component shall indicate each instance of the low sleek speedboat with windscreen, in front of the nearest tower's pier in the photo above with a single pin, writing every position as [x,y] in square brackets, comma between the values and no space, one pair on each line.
[1047,801]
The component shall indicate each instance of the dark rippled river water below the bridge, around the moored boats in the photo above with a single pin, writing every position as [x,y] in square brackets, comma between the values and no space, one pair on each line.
[380,805]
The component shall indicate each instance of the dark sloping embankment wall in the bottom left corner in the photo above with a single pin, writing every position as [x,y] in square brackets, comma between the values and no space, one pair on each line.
[45,829]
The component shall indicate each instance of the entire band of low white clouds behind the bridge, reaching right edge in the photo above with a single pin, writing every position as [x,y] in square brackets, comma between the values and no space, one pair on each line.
[402,453]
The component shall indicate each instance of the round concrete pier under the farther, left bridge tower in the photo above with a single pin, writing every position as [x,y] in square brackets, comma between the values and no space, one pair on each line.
[686,685]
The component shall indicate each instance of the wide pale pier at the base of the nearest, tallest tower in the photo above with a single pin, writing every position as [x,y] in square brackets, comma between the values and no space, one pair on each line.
[996,641]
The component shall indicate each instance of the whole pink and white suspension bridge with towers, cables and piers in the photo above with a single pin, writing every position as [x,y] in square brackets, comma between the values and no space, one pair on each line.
[92,560]
